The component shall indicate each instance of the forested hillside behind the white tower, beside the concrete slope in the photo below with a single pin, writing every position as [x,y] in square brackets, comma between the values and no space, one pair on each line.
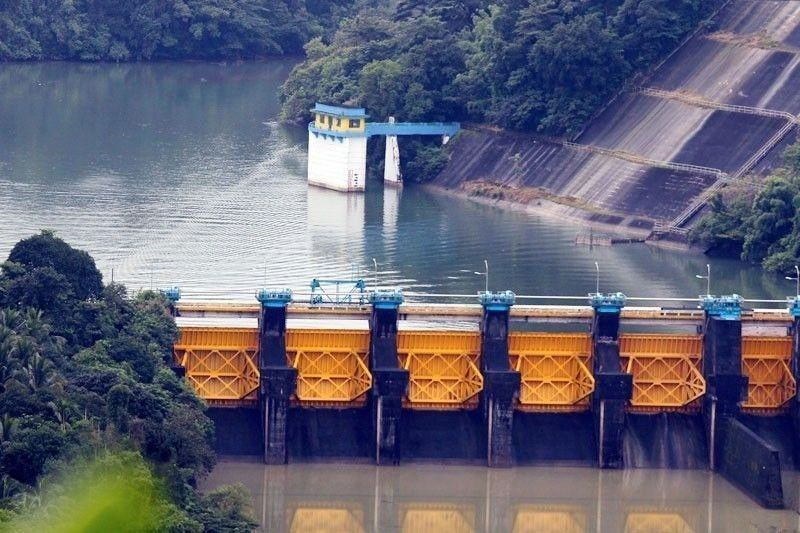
[534,65]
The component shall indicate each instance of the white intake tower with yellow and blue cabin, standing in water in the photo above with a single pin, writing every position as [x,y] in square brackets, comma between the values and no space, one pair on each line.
[337,148]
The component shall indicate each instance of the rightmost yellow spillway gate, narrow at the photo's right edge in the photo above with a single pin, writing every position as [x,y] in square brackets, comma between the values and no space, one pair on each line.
[766,362]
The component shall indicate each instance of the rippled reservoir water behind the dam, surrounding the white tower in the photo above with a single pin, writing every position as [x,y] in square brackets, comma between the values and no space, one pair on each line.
[181,174]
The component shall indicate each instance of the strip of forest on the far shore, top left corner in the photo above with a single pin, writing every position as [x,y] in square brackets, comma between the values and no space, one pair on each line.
[120,30]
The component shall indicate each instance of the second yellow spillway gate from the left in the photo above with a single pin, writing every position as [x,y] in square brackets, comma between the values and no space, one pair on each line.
[332,366]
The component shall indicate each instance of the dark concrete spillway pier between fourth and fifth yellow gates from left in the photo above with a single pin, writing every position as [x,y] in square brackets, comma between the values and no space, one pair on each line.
[613,387]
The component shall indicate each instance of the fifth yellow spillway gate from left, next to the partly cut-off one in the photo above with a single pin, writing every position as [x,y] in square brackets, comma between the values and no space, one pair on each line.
[666,371]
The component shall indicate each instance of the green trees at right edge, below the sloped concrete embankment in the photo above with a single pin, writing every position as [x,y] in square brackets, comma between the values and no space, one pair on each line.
[763,228]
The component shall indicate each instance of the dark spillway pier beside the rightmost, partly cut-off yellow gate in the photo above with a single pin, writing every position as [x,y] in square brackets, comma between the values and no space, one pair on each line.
[726,387]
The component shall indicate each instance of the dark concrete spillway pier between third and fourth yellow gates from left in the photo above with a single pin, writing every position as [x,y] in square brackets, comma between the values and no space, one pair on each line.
[501,383]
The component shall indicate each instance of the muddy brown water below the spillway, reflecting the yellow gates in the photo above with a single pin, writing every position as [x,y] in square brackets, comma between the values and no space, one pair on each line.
[430,497]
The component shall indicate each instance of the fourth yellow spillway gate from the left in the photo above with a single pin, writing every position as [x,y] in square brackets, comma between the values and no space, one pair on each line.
[554,368]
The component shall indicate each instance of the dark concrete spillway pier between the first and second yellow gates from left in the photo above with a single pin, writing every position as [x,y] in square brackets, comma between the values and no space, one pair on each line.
[278,379]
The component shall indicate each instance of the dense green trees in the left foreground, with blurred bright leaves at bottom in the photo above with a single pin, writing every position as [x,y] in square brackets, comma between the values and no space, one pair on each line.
[83,370]
